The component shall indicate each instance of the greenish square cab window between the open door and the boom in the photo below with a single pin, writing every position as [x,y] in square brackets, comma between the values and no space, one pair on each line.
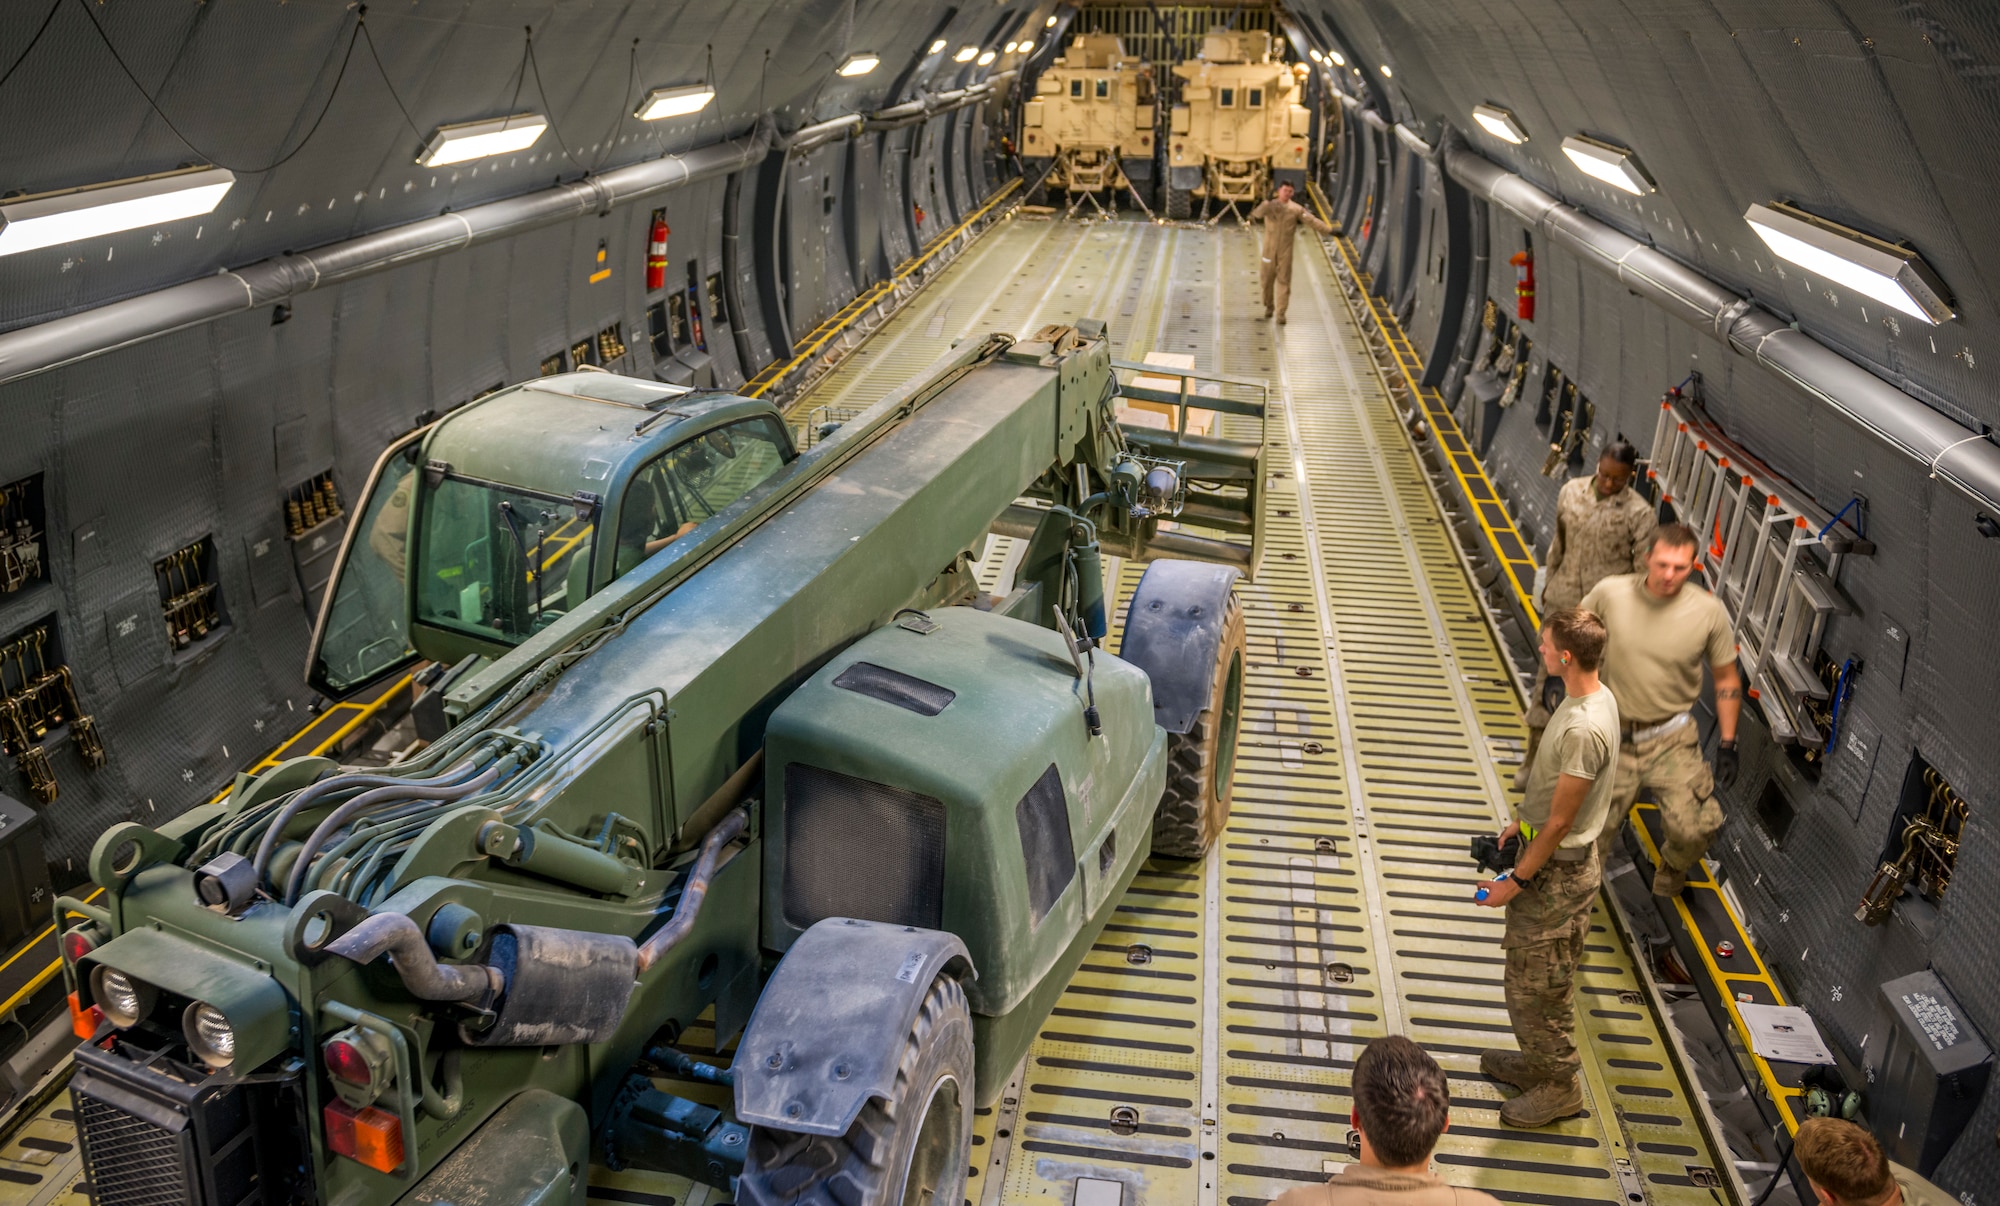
[501,563]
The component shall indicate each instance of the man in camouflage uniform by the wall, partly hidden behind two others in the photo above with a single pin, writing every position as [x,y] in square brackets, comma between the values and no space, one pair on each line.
[1601,529]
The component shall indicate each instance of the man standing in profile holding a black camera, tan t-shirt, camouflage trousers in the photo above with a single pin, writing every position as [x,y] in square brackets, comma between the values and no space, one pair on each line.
[1557,879]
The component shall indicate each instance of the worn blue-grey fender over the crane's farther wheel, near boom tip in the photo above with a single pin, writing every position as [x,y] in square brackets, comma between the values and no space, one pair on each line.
[1173,631]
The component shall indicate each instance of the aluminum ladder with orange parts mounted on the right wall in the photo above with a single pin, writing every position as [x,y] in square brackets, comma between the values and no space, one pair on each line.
[1759,537]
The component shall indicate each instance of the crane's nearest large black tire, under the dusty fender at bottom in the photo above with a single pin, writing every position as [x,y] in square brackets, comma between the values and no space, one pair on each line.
[913,1149]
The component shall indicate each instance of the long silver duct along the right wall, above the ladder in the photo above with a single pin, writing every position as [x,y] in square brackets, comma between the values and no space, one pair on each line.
[1953,453]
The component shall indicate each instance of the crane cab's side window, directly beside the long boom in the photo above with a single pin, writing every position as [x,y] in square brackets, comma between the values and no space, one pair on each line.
[693,483]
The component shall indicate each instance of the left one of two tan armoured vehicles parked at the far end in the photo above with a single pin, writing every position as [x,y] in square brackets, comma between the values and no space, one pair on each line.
[1091,123]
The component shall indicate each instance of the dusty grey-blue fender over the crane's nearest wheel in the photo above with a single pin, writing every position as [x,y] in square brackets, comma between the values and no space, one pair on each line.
[833,1021]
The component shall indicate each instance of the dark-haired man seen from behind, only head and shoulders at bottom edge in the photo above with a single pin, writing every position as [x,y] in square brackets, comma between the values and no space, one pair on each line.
[1401,1107]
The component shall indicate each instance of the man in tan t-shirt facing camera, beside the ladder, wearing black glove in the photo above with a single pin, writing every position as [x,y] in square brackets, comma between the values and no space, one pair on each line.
[1663,633]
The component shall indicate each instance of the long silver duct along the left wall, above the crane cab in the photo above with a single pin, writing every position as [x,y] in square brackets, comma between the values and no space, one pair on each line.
[135,321]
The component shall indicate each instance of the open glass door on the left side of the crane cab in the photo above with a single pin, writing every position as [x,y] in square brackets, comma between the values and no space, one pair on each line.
[363,633]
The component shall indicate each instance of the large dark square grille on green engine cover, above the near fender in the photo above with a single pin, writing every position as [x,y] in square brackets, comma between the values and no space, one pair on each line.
[857,849]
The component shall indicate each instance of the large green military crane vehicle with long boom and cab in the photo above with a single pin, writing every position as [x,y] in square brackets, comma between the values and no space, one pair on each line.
[713,725]
